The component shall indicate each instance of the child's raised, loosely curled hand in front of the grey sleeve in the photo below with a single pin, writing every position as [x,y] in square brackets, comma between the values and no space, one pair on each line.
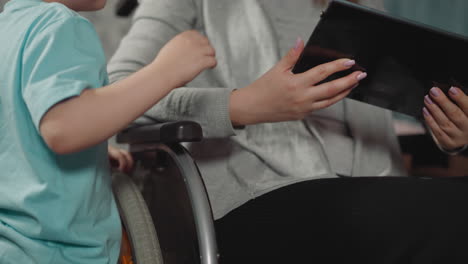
[185,56]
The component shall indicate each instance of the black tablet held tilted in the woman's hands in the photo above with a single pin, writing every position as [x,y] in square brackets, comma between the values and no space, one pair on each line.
[403,59]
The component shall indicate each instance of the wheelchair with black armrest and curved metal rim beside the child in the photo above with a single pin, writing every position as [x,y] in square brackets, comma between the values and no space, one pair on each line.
[164,205]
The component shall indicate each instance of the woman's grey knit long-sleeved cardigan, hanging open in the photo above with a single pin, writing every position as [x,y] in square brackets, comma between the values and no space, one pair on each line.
[241,164]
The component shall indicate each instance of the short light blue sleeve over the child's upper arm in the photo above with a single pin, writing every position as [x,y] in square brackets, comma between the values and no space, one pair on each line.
[60,60]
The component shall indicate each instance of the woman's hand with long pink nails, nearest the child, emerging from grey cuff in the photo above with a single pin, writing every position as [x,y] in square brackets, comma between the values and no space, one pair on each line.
[280,95]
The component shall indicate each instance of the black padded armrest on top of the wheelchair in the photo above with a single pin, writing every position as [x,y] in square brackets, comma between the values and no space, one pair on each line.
[169,132]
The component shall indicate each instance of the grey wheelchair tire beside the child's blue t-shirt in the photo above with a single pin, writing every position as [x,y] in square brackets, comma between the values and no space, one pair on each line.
[137,221]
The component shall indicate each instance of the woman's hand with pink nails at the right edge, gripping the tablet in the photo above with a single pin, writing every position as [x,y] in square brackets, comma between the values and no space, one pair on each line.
[448,119]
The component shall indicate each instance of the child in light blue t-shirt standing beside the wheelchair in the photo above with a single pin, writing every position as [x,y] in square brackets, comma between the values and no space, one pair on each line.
[56,113]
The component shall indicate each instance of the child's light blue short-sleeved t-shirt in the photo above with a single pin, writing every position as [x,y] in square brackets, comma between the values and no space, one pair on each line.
[53,208]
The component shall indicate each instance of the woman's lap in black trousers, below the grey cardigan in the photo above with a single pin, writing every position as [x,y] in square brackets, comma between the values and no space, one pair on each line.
[362,220]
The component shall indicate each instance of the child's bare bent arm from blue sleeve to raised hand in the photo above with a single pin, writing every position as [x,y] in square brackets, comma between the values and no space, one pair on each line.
[97,114]
